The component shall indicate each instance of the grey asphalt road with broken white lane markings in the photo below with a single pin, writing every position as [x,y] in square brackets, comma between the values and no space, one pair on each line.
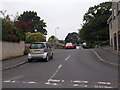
[68,69]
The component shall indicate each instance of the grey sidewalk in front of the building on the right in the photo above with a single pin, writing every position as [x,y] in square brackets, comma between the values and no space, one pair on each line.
[108,55]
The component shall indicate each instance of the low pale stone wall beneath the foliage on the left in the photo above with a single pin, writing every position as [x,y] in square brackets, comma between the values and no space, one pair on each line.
[10,49]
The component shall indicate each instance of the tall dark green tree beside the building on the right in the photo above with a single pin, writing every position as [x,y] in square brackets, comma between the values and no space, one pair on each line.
[95,27]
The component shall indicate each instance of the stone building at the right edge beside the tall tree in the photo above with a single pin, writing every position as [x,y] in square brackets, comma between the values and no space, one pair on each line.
[114,26]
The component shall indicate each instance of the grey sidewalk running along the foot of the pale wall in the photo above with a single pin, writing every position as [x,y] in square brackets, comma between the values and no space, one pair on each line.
[13,62]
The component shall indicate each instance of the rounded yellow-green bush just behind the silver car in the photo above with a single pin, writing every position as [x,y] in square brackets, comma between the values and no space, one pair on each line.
[35,37]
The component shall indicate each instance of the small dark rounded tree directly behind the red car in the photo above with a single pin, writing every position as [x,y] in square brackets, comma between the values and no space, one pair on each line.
[72,37]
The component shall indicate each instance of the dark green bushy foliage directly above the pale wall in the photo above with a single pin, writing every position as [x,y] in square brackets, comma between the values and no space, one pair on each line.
[10,32]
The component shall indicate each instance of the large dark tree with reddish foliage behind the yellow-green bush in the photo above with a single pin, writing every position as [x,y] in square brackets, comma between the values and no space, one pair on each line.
[29,22]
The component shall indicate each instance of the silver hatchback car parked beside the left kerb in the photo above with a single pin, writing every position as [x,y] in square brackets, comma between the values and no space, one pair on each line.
[40,50]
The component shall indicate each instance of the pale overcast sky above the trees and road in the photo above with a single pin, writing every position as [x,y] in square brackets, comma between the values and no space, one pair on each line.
[62,16]
